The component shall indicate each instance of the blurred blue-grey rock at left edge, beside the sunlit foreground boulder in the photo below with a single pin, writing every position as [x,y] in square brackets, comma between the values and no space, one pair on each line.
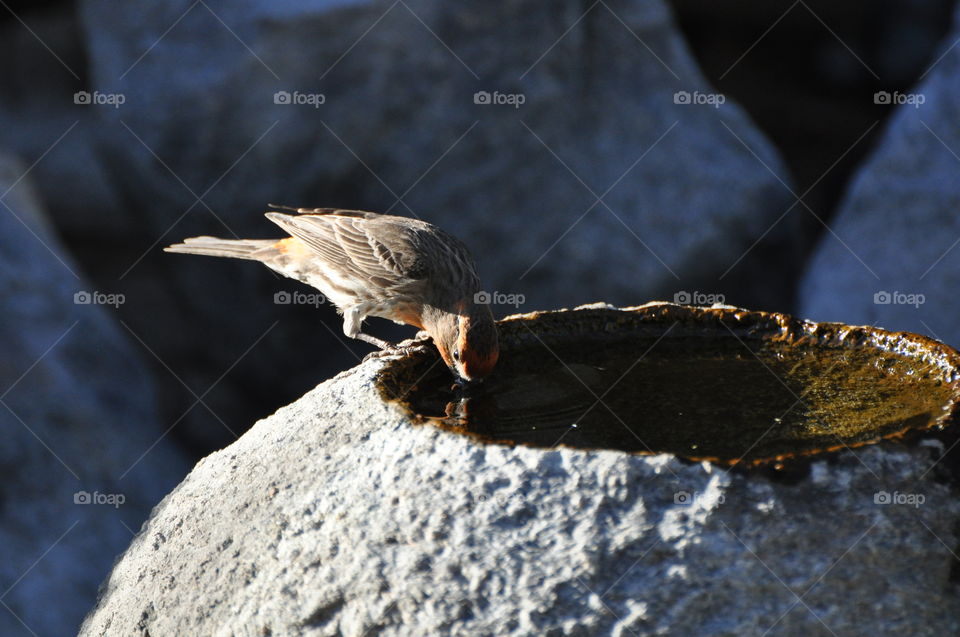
[77,412]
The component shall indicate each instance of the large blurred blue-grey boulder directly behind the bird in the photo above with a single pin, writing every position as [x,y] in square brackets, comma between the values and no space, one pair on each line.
[399,120]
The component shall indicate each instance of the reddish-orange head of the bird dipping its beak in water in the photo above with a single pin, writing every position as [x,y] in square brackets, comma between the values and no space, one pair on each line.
[467,341]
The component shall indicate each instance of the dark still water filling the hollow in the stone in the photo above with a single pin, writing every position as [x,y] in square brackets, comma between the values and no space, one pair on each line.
[695,397]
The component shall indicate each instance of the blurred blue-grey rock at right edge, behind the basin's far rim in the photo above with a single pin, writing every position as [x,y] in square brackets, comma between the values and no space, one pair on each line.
[892,258]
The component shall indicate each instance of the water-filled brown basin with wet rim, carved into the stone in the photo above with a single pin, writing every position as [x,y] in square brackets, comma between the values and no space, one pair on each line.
[720,384]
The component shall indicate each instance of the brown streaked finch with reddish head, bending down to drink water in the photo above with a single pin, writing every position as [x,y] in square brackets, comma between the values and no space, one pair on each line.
[369,264]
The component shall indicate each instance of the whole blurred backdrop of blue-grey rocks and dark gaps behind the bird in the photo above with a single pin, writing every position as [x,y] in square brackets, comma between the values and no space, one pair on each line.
[790,156]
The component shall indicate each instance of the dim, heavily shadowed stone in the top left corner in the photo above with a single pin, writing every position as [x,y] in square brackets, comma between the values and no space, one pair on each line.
[43,124]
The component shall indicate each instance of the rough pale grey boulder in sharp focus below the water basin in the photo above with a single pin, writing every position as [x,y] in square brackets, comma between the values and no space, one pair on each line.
[335,516]
